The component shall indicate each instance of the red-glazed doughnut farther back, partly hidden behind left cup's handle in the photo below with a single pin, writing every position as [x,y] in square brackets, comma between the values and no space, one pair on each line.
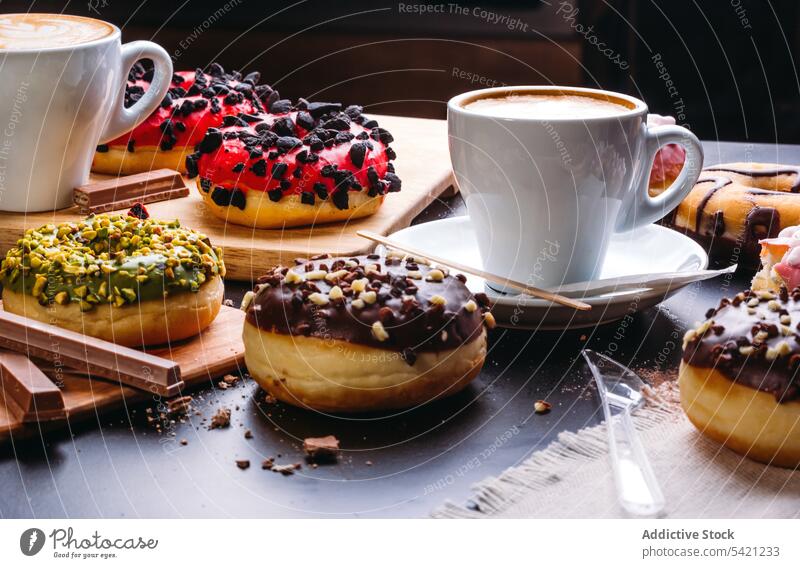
[195,102]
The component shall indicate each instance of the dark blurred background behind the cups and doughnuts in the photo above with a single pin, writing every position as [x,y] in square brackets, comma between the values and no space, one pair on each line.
[732,62]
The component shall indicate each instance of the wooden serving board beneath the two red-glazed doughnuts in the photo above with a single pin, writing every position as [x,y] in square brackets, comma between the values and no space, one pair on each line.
[423,165]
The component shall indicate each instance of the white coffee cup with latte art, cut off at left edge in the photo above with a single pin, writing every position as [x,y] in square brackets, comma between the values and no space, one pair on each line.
[62,87]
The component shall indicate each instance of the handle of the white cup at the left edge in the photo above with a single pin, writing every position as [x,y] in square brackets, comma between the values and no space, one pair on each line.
[126,119]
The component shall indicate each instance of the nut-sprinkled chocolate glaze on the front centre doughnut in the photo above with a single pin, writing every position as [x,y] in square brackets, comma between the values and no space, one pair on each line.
[386,302]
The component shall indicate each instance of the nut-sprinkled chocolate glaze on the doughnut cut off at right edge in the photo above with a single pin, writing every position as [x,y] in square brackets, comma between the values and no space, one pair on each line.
[753,340]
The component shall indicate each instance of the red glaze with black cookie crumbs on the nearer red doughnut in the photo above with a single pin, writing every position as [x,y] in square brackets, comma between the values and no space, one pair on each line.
[306,140]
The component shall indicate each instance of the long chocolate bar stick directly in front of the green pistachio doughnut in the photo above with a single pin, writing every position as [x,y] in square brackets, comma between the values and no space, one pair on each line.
[89,355]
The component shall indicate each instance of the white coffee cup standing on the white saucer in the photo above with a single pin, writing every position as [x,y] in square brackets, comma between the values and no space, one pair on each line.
[547,186]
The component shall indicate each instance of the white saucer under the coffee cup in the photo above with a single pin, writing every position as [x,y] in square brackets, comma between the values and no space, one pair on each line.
[653,249]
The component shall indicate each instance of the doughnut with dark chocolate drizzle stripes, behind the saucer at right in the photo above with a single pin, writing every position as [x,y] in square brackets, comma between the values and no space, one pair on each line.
[733,206]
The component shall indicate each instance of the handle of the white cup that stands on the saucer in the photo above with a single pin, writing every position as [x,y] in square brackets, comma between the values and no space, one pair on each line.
[646,209]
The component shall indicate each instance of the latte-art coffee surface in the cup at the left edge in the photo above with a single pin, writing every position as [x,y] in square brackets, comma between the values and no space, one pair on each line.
[41,31]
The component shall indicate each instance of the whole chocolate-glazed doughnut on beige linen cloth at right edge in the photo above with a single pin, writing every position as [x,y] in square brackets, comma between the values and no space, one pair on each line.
[739,376]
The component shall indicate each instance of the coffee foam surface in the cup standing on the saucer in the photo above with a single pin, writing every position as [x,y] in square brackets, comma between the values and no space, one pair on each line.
[544,106]
